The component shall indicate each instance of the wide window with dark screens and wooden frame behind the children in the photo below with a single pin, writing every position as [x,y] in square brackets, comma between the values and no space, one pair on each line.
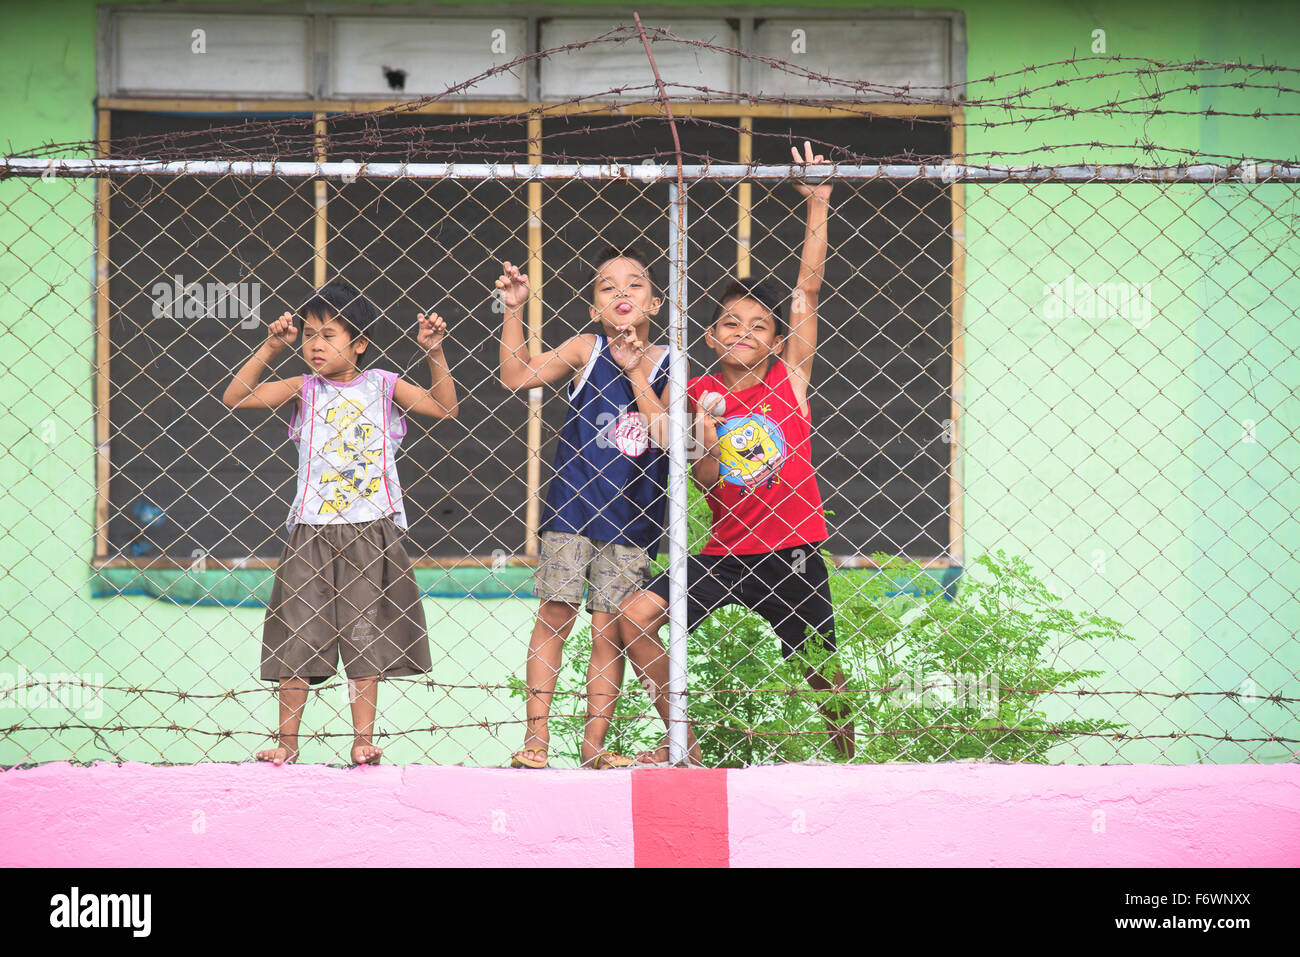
[414,245]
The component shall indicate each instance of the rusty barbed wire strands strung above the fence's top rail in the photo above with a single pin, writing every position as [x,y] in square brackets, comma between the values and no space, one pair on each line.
[298,137]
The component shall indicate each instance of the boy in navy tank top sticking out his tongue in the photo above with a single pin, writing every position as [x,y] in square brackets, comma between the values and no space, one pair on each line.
[604,513]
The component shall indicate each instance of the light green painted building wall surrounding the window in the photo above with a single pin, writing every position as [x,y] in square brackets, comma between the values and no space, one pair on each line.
[1112,456]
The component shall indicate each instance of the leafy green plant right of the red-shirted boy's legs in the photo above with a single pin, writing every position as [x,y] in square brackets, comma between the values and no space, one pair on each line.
[969,678]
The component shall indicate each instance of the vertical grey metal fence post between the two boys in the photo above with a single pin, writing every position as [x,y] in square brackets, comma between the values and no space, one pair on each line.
[678,474]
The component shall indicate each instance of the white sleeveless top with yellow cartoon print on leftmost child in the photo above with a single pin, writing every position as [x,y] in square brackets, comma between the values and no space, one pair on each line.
[348,438]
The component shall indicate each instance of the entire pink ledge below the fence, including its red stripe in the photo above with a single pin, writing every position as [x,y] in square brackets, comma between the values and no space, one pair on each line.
[133,815]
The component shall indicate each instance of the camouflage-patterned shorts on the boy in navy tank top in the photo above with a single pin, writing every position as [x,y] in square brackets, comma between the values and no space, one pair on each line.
[570,562]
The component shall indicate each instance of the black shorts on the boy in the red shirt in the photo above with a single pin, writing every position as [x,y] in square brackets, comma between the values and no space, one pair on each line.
[790,588]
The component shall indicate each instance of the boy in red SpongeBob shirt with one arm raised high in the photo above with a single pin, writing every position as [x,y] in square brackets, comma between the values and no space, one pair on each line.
[753,427]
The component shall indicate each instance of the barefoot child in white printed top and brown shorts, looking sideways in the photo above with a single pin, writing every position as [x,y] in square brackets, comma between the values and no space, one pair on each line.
[344,582]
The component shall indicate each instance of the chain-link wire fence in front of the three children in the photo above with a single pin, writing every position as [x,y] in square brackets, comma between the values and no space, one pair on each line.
[1052,426]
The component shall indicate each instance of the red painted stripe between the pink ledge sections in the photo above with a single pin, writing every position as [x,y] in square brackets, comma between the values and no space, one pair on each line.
[679,819]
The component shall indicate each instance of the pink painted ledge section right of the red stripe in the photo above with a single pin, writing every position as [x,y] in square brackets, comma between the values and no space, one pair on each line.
[976,816]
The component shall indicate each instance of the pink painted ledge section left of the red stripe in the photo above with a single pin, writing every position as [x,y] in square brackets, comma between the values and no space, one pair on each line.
[239,816]
